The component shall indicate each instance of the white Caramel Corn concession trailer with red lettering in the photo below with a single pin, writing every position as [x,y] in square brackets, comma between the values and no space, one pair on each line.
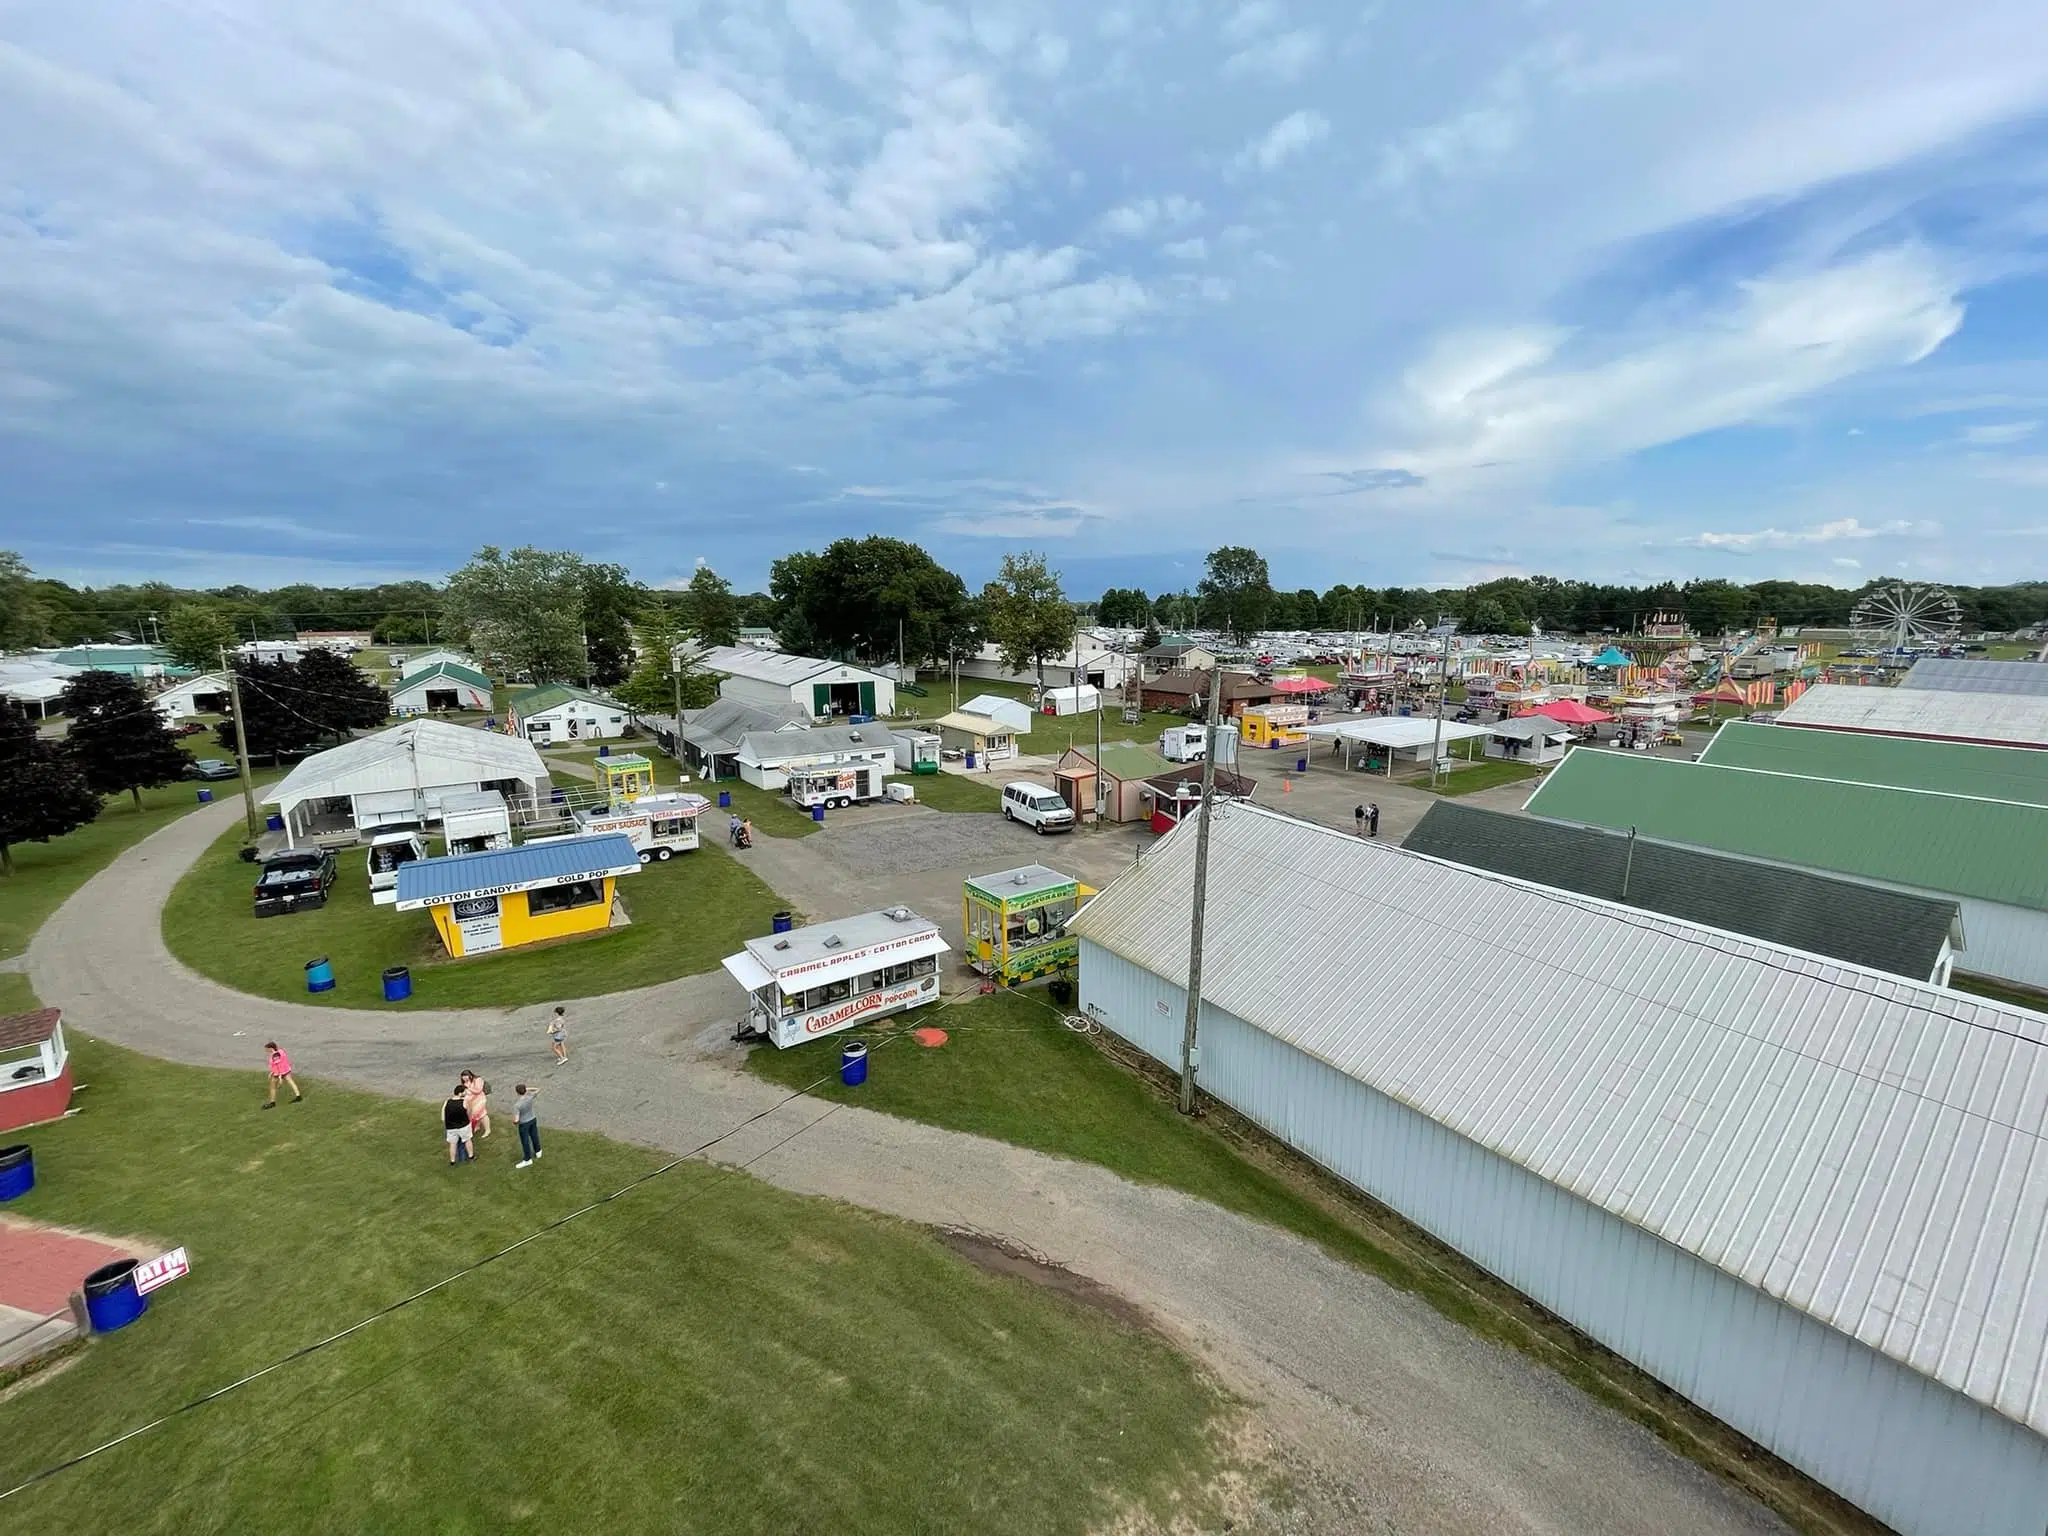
[833,976]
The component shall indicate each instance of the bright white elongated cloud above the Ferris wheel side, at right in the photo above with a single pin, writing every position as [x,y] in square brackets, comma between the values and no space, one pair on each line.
[1537,396]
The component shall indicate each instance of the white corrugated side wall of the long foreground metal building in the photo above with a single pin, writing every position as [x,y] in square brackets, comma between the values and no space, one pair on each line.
[1887,1439]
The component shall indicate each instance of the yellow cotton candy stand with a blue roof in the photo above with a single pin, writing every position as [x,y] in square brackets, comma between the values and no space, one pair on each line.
[519,896]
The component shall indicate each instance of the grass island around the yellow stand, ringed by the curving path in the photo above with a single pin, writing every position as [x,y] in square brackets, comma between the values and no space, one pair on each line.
[687,916]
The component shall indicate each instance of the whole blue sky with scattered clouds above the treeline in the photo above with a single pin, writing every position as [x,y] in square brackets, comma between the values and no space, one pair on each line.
[1396,294]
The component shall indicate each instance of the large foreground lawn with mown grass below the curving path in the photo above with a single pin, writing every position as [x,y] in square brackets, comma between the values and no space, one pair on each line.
[706,1355]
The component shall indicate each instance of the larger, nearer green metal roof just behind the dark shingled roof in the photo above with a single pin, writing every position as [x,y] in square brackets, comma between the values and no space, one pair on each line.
[1904,837]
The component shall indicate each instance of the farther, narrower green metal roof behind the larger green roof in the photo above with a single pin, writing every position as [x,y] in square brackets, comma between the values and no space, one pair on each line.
[1897,761]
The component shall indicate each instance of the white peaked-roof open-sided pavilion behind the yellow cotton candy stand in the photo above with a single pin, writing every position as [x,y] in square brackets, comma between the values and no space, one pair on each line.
[402,775]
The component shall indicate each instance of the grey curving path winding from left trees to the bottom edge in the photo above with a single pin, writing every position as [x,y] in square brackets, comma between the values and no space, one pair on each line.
[1396,1418]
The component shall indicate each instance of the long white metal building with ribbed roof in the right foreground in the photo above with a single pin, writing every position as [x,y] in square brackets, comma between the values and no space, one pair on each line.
[1809,1197]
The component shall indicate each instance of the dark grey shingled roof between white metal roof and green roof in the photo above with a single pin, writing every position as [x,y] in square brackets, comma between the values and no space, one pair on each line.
[1848,921]
